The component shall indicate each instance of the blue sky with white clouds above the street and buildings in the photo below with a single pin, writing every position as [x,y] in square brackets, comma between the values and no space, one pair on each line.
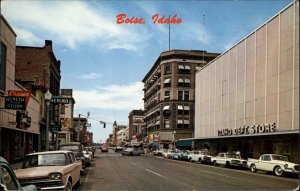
[105,62]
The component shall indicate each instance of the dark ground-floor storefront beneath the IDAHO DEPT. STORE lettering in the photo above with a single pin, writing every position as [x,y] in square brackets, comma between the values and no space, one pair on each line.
[252,146]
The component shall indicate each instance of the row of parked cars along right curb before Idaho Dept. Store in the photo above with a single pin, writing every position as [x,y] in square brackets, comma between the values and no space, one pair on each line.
[278,164]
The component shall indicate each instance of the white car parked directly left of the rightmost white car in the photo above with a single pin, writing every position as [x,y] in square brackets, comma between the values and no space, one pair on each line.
[229,160]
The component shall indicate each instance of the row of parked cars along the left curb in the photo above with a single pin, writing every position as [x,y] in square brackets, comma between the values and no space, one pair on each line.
[50,170]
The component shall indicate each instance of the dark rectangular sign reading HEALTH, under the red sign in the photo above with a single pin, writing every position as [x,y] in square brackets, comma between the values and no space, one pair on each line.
[15,102]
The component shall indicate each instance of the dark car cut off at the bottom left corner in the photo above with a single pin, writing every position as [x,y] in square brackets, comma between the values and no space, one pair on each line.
[8,179]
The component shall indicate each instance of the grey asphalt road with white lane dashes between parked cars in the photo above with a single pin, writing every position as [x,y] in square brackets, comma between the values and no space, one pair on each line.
[112,171]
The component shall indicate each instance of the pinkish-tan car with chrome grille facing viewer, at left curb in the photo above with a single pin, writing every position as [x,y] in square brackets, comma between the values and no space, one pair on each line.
[51,170]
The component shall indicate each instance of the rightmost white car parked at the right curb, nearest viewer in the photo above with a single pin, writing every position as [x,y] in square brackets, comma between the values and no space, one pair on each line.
[278,164]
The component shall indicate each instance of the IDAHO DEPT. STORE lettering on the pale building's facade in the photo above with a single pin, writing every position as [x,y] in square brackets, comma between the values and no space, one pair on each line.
[244,130]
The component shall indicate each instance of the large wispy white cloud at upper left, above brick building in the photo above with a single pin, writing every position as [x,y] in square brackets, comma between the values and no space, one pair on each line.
[69,24]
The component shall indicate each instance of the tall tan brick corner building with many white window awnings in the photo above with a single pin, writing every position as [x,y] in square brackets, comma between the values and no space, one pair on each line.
[169,89]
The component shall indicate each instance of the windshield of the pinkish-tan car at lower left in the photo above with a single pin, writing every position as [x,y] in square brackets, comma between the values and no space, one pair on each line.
[56,159]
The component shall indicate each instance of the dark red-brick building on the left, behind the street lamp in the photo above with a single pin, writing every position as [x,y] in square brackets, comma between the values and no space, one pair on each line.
[38,70]
